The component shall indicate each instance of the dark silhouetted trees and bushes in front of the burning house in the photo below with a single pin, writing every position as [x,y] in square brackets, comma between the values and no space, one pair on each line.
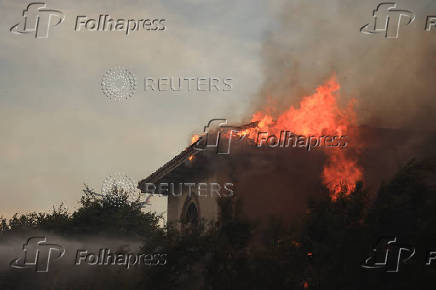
[323,250]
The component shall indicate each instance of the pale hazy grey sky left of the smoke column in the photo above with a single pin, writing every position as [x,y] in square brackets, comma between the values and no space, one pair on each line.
[59,131]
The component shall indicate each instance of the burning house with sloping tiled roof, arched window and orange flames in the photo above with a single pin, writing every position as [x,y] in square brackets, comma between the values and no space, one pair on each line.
[277,164]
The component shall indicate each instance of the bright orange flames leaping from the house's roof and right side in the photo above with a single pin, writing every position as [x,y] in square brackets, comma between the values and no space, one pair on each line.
[318,115]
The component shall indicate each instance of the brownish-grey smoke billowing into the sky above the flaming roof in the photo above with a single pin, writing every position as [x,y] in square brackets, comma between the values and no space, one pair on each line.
[391,79]
